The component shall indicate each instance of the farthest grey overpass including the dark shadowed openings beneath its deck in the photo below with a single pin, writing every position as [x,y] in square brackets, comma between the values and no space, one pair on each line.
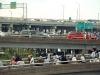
[16,25]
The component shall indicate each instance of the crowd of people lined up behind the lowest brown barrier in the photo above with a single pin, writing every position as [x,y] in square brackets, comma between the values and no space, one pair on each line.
[57,59]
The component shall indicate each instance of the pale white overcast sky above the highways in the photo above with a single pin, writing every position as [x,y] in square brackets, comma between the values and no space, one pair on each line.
[53,9]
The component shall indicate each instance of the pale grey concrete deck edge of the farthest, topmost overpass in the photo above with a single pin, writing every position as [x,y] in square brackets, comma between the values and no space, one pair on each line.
[39,22]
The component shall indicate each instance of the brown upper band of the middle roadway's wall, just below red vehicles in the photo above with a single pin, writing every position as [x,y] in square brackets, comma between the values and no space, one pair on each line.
[47,40]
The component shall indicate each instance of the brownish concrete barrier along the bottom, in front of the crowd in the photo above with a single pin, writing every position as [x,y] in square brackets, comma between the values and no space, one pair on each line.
[48,69]
